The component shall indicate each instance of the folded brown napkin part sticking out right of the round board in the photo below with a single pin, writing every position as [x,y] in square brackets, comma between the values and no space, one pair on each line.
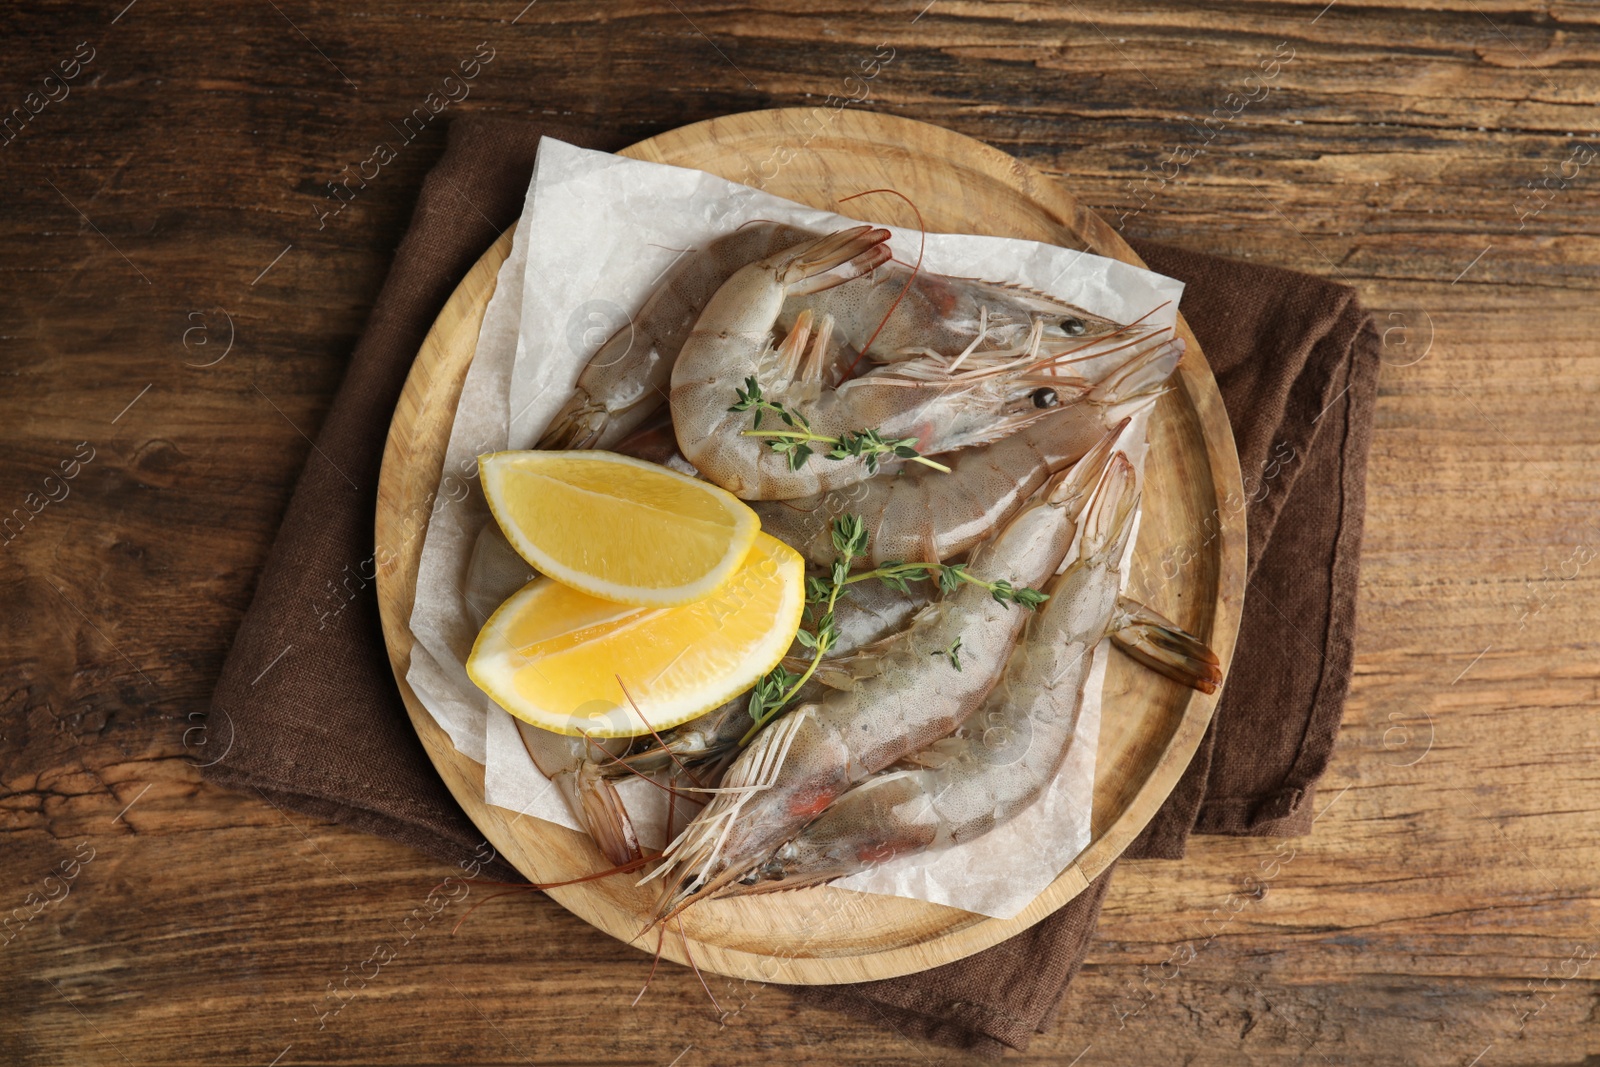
[1297,361]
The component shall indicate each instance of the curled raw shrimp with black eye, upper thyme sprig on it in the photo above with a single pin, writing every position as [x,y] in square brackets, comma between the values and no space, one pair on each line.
[942,406]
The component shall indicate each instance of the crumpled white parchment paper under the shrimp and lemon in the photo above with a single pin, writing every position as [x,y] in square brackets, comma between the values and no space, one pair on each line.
[596,234]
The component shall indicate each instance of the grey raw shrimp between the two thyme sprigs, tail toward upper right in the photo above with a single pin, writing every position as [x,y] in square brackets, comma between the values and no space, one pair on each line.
[926,516]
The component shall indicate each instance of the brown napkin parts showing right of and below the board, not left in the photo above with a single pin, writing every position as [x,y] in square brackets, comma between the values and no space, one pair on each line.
[1297,362]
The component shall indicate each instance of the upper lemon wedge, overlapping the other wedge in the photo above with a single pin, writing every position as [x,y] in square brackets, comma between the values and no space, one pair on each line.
[618,529]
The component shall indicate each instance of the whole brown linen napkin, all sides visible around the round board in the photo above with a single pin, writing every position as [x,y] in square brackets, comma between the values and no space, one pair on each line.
[1297,361]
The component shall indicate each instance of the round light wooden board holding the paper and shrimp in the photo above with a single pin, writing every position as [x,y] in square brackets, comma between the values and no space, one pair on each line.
[1151,727]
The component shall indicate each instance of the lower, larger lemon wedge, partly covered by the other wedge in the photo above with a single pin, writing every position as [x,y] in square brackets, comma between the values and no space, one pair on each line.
[562,660]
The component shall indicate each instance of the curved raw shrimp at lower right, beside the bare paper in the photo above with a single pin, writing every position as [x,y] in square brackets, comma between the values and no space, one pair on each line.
[1004,759]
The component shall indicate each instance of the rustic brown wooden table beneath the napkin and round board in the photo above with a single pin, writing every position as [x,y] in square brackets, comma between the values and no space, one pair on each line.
[180,306]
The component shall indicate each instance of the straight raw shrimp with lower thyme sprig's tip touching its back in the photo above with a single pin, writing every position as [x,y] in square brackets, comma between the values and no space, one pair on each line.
[898,705]
